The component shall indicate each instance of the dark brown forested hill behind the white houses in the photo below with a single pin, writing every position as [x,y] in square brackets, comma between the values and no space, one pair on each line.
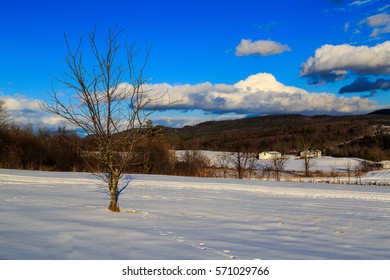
[350,135]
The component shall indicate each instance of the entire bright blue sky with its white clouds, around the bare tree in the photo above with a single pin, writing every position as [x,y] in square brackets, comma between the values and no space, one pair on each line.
[225,59]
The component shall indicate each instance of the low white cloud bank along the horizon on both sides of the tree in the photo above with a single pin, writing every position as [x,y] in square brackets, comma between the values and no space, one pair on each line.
[256,95]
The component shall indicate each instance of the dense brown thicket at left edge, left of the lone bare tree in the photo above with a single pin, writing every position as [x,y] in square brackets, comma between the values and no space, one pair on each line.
[21,148]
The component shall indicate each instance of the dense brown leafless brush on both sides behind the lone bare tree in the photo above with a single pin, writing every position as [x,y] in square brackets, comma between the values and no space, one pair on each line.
[23,147]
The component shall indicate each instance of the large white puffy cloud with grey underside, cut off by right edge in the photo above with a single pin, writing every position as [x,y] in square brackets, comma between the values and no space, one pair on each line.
[332,62]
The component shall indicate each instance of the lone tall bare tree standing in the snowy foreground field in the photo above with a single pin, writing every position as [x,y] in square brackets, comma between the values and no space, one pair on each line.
[113,112]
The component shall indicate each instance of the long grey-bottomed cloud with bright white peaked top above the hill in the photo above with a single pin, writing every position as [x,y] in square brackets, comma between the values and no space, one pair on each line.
[260,94]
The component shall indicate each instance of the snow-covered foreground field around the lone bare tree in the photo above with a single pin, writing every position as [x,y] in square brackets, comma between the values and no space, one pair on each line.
[64,216]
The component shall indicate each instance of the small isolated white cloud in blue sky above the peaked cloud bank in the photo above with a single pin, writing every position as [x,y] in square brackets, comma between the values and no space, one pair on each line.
[260,48]
